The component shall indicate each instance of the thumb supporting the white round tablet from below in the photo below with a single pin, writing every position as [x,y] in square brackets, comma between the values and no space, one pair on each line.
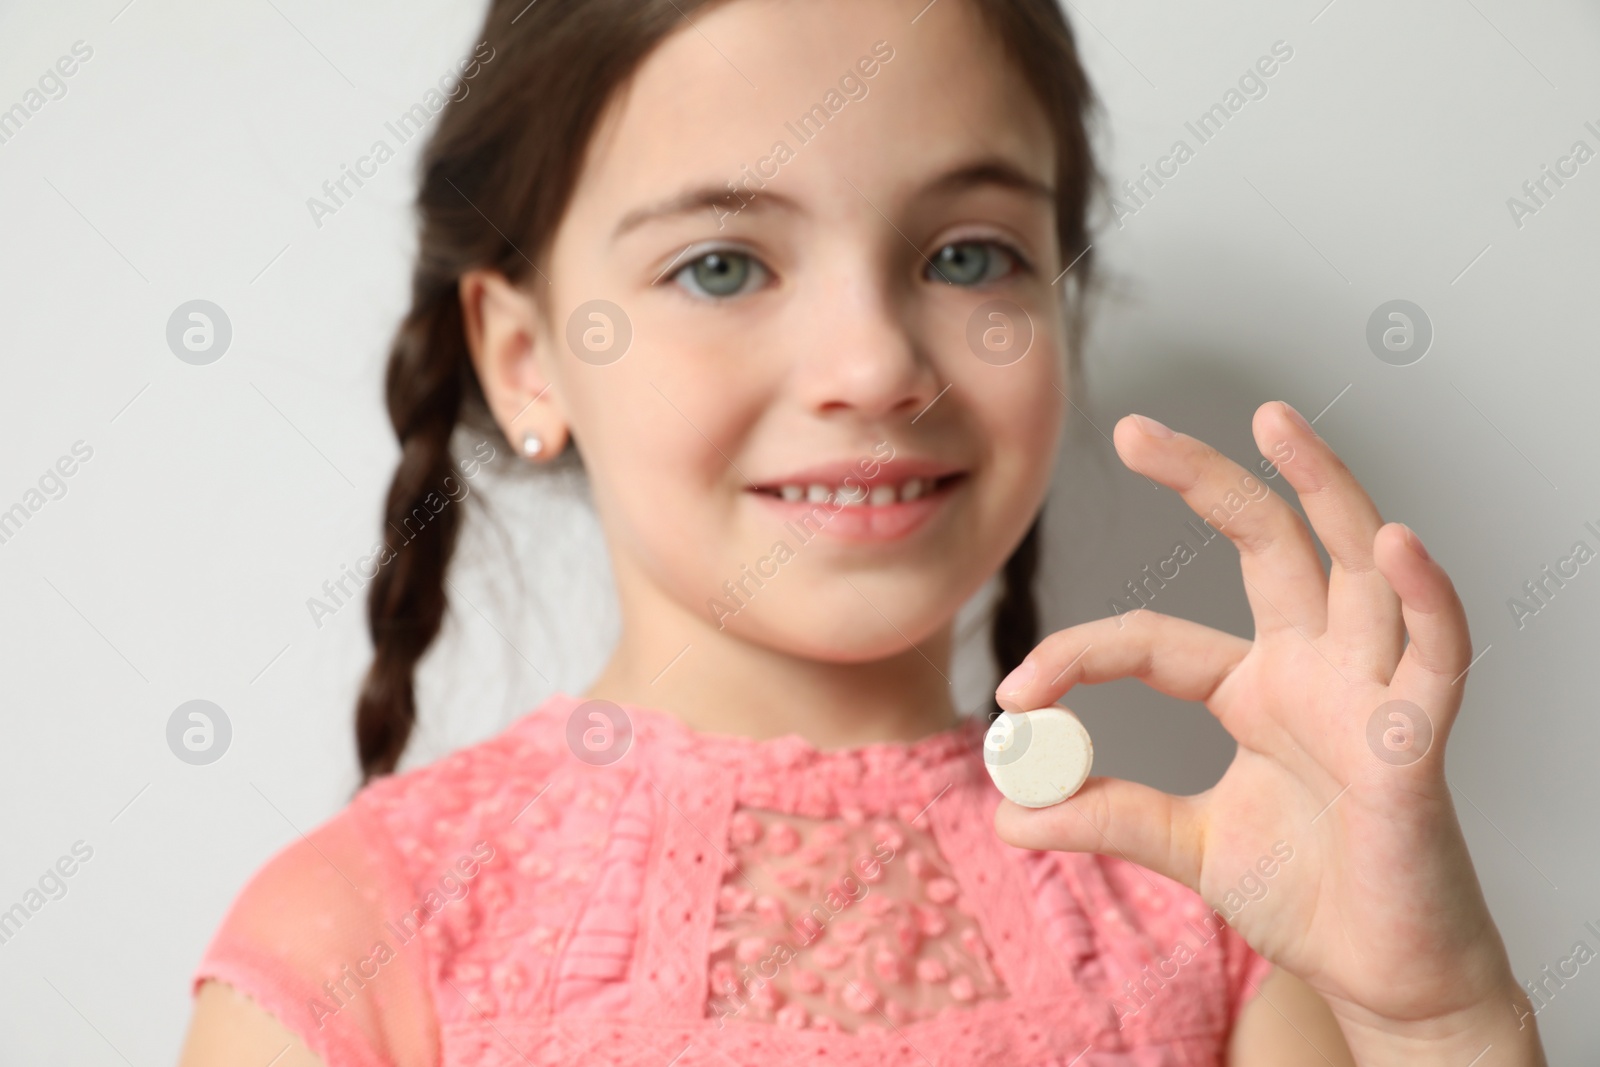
[1114,818]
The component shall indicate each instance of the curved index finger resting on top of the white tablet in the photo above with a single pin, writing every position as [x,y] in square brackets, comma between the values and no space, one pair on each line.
[1174,657]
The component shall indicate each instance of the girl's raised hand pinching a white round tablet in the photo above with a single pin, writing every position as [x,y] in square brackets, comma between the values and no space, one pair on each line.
[1342,732]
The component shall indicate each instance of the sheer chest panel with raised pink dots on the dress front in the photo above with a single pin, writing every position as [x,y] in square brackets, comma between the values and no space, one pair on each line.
[842,925]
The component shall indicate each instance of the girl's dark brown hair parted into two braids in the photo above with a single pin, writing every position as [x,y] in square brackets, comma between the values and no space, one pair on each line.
[495,178]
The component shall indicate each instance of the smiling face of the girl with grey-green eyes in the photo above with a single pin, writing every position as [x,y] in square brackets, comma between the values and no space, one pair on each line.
[850,321]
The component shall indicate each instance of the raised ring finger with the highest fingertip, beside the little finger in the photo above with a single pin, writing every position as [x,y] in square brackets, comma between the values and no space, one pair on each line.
[1364,612]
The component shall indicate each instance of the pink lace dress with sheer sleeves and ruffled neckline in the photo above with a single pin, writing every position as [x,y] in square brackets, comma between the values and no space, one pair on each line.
[593,892]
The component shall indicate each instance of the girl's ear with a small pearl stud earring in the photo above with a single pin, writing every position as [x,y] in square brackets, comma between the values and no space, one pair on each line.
[505,337]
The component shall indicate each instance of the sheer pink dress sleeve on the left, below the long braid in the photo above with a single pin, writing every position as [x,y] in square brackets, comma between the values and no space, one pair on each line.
[310,941]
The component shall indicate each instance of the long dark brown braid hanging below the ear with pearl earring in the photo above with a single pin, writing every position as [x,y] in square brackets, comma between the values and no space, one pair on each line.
[406,602]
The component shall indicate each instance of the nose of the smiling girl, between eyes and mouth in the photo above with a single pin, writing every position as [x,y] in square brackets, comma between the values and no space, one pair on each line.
[857,346]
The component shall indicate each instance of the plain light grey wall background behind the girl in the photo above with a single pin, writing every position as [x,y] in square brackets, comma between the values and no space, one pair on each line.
[222,497]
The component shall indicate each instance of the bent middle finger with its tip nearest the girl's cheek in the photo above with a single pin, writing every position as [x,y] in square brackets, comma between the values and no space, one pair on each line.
[1284,577]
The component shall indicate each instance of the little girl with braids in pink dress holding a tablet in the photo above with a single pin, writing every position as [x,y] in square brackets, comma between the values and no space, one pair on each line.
[801,282]
